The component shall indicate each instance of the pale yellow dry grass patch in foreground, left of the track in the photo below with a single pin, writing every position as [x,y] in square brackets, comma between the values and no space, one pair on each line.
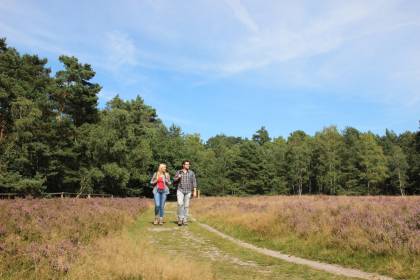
[124,257]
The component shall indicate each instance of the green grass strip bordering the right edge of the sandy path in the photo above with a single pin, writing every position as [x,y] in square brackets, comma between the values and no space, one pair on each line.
[315,248]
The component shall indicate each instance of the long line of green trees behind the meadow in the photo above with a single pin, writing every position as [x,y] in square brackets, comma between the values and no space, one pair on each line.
[53,138]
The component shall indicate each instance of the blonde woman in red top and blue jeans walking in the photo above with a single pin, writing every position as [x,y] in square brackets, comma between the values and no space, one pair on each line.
[160,182]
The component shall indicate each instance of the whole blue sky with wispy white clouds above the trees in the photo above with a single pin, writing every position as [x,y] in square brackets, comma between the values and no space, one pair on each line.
[232,66]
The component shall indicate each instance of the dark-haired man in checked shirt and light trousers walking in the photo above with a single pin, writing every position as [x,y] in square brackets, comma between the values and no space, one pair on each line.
[185,179]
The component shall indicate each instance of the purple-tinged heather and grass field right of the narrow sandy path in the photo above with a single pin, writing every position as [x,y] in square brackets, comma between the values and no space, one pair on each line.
[376,234]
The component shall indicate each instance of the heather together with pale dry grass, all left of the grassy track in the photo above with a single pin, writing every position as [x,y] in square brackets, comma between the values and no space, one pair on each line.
[97,238]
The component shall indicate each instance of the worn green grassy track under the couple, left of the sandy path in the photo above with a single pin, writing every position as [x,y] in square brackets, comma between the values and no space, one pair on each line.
[227,260]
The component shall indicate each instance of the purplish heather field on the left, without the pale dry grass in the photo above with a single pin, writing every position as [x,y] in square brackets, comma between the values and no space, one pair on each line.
[42,238]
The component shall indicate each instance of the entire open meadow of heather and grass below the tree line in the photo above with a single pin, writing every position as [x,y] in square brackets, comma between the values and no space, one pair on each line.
[114,238]
